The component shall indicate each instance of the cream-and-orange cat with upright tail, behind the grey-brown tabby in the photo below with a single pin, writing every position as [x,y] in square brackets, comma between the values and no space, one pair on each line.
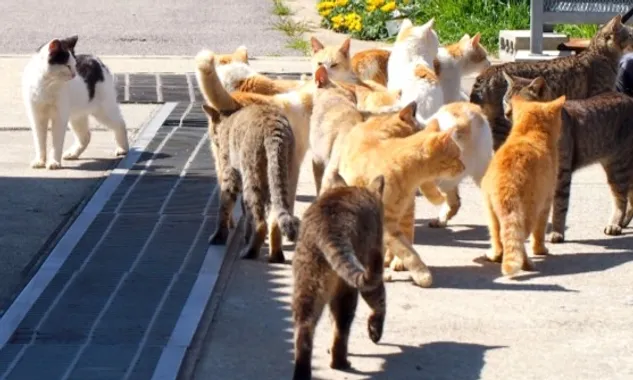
[296,106]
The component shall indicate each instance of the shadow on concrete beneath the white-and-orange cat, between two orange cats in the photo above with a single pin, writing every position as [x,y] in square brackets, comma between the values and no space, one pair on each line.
[455,235]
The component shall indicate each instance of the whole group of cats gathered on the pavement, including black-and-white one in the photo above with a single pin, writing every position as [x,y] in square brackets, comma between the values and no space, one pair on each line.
[380,126]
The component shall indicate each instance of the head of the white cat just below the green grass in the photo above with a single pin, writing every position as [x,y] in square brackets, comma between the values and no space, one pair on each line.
[421,40]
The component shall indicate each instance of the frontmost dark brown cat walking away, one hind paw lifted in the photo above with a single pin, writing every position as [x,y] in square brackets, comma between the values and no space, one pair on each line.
[338,255]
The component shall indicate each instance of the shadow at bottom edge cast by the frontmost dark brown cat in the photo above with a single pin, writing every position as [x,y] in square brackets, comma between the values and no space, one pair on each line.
[435,360]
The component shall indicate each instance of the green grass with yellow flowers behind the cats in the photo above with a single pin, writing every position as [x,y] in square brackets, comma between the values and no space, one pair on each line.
[366,19]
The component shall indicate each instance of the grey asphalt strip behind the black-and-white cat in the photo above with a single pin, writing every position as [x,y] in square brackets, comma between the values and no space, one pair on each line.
[143,27]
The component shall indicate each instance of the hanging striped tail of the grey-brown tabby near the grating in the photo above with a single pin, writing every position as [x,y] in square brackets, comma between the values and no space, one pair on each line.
[279,149]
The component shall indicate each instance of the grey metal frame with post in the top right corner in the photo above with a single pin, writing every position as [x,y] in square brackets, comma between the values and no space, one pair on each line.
[571,12]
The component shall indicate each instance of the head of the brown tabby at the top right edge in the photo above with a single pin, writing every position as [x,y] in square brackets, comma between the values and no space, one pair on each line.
[614,38]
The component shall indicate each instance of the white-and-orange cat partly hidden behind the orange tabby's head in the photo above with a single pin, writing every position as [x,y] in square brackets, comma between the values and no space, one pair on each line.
[472,132]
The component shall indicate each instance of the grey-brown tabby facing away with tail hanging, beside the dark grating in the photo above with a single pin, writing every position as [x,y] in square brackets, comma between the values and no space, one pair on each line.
[254,147]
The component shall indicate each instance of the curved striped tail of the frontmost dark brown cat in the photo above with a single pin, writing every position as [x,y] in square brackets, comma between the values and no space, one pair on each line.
[344,262]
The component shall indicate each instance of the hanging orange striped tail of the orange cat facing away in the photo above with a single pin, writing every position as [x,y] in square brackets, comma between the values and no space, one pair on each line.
[512,230]
